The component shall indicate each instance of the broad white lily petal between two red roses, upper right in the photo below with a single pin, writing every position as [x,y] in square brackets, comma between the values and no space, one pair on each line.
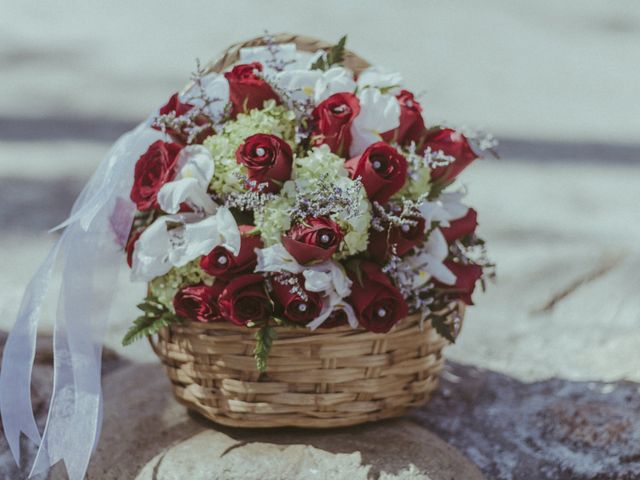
[379,113]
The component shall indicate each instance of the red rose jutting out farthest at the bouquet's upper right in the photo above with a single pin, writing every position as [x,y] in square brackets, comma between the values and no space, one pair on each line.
[454,144]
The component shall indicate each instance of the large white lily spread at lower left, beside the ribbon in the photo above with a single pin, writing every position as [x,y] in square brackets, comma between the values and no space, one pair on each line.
[175,240]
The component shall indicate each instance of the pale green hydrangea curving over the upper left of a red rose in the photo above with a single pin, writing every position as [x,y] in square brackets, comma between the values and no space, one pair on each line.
[272,119]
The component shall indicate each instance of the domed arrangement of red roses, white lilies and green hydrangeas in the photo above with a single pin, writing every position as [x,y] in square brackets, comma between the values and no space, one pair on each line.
[290,192]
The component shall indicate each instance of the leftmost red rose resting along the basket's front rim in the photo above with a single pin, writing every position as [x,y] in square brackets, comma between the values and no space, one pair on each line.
[199,302]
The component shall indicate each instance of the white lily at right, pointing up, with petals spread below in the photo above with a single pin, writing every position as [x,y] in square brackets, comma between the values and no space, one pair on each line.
[429,261]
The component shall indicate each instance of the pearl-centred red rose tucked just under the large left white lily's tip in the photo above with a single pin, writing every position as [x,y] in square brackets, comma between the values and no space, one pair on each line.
[221,263]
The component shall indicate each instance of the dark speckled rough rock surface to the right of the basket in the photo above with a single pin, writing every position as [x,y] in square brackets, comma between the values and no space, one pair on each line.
[553,429]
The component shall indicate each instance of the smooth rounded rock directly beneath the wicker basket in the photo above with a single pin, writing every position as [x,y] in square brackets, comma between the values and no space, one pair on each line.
[148,435]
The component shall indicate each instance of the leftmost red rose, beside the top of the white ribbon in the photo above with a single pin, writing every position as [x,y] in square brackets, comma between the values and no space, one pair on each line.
[154,168]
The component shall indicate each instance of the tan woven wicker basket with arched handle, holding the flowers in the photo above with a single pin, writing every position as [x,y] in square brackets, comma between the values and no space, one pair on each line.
[320,379]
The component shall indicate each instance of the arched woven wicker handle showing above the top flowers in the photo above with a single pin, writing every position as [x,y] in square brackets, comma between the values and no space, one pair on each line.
[308,44]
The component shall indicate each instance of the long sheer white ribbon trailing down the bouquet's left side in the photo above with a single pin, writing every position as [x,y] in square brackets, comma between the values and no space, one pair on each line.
[90,259]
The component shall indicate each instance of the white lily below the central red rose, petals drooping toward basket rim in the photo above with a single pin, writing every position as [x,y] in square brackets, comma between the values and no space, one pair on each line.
[327,278]
